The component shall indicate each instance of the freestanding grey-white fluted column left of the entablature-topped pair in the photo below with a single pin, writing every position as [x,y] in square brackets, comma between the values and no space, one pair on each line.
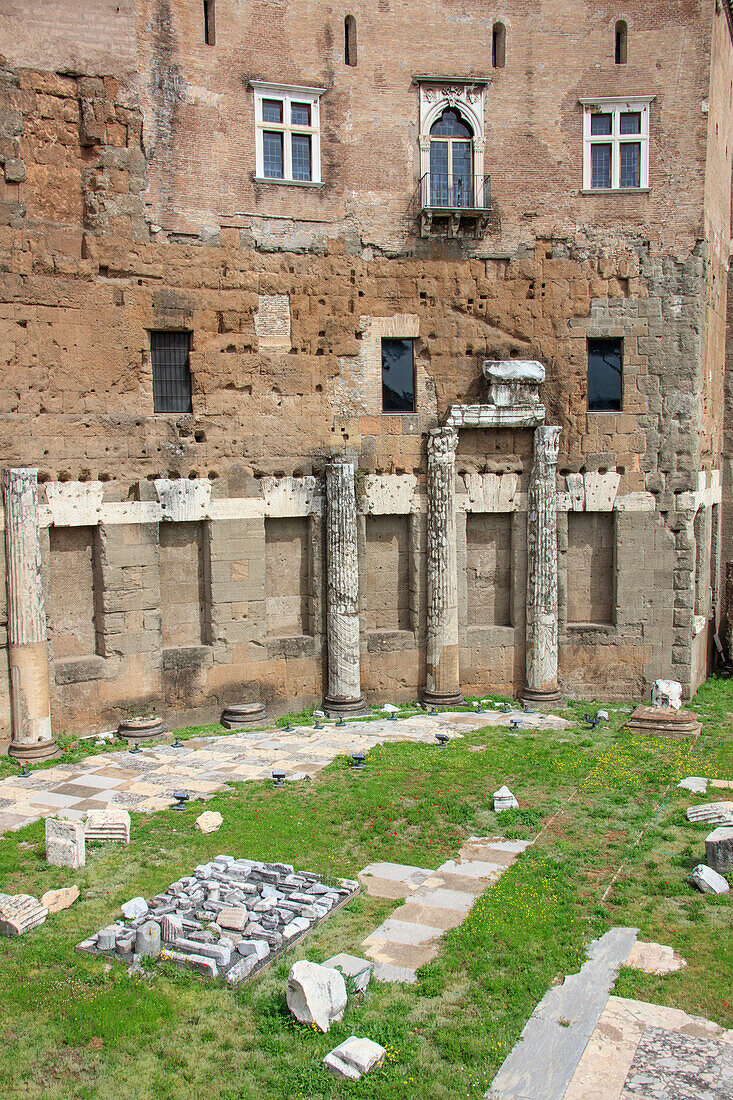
[344,694]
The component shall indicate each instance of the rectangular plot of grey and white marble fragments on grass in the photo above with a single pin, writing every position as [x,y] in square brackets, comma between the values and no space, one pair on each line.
[229,919]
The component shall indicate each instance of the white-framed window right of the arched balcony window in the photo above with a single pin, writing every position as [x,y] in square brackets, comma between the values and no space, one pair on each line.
[617,145]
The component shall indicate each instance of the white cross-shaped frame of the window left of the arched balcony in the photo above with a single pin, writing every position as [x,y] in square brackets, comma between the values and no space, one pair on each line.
[288,95]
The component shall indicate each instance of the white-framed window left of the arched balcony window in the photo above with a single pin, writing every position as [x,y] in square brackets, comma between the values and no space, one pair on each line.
[288,135]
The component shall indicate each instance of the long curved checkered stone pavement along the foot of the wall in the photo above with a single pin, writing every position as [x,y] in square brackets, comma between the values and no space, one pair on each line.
[146,782]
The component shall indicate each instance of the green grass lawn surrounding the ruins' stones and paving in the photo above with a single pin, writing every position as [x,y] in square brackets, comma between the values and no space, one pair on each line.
[76,1027]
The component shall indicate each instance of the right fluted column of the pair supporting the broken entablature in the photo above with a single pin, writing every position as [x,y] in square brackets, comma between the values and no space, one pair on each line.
[542,685]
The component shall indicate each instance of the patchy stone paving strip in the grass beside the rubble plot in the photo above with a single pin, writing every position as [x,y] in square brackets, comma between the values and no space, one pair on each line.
[435,903]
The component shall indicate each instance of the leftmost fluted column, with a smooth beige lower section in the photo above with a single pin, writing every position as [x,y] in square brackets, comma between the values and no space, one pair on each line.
[28,646]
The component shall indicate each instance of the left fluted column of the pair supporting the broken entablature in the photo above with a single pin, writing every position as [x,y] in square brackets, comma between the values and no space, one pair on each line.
[442,677]
